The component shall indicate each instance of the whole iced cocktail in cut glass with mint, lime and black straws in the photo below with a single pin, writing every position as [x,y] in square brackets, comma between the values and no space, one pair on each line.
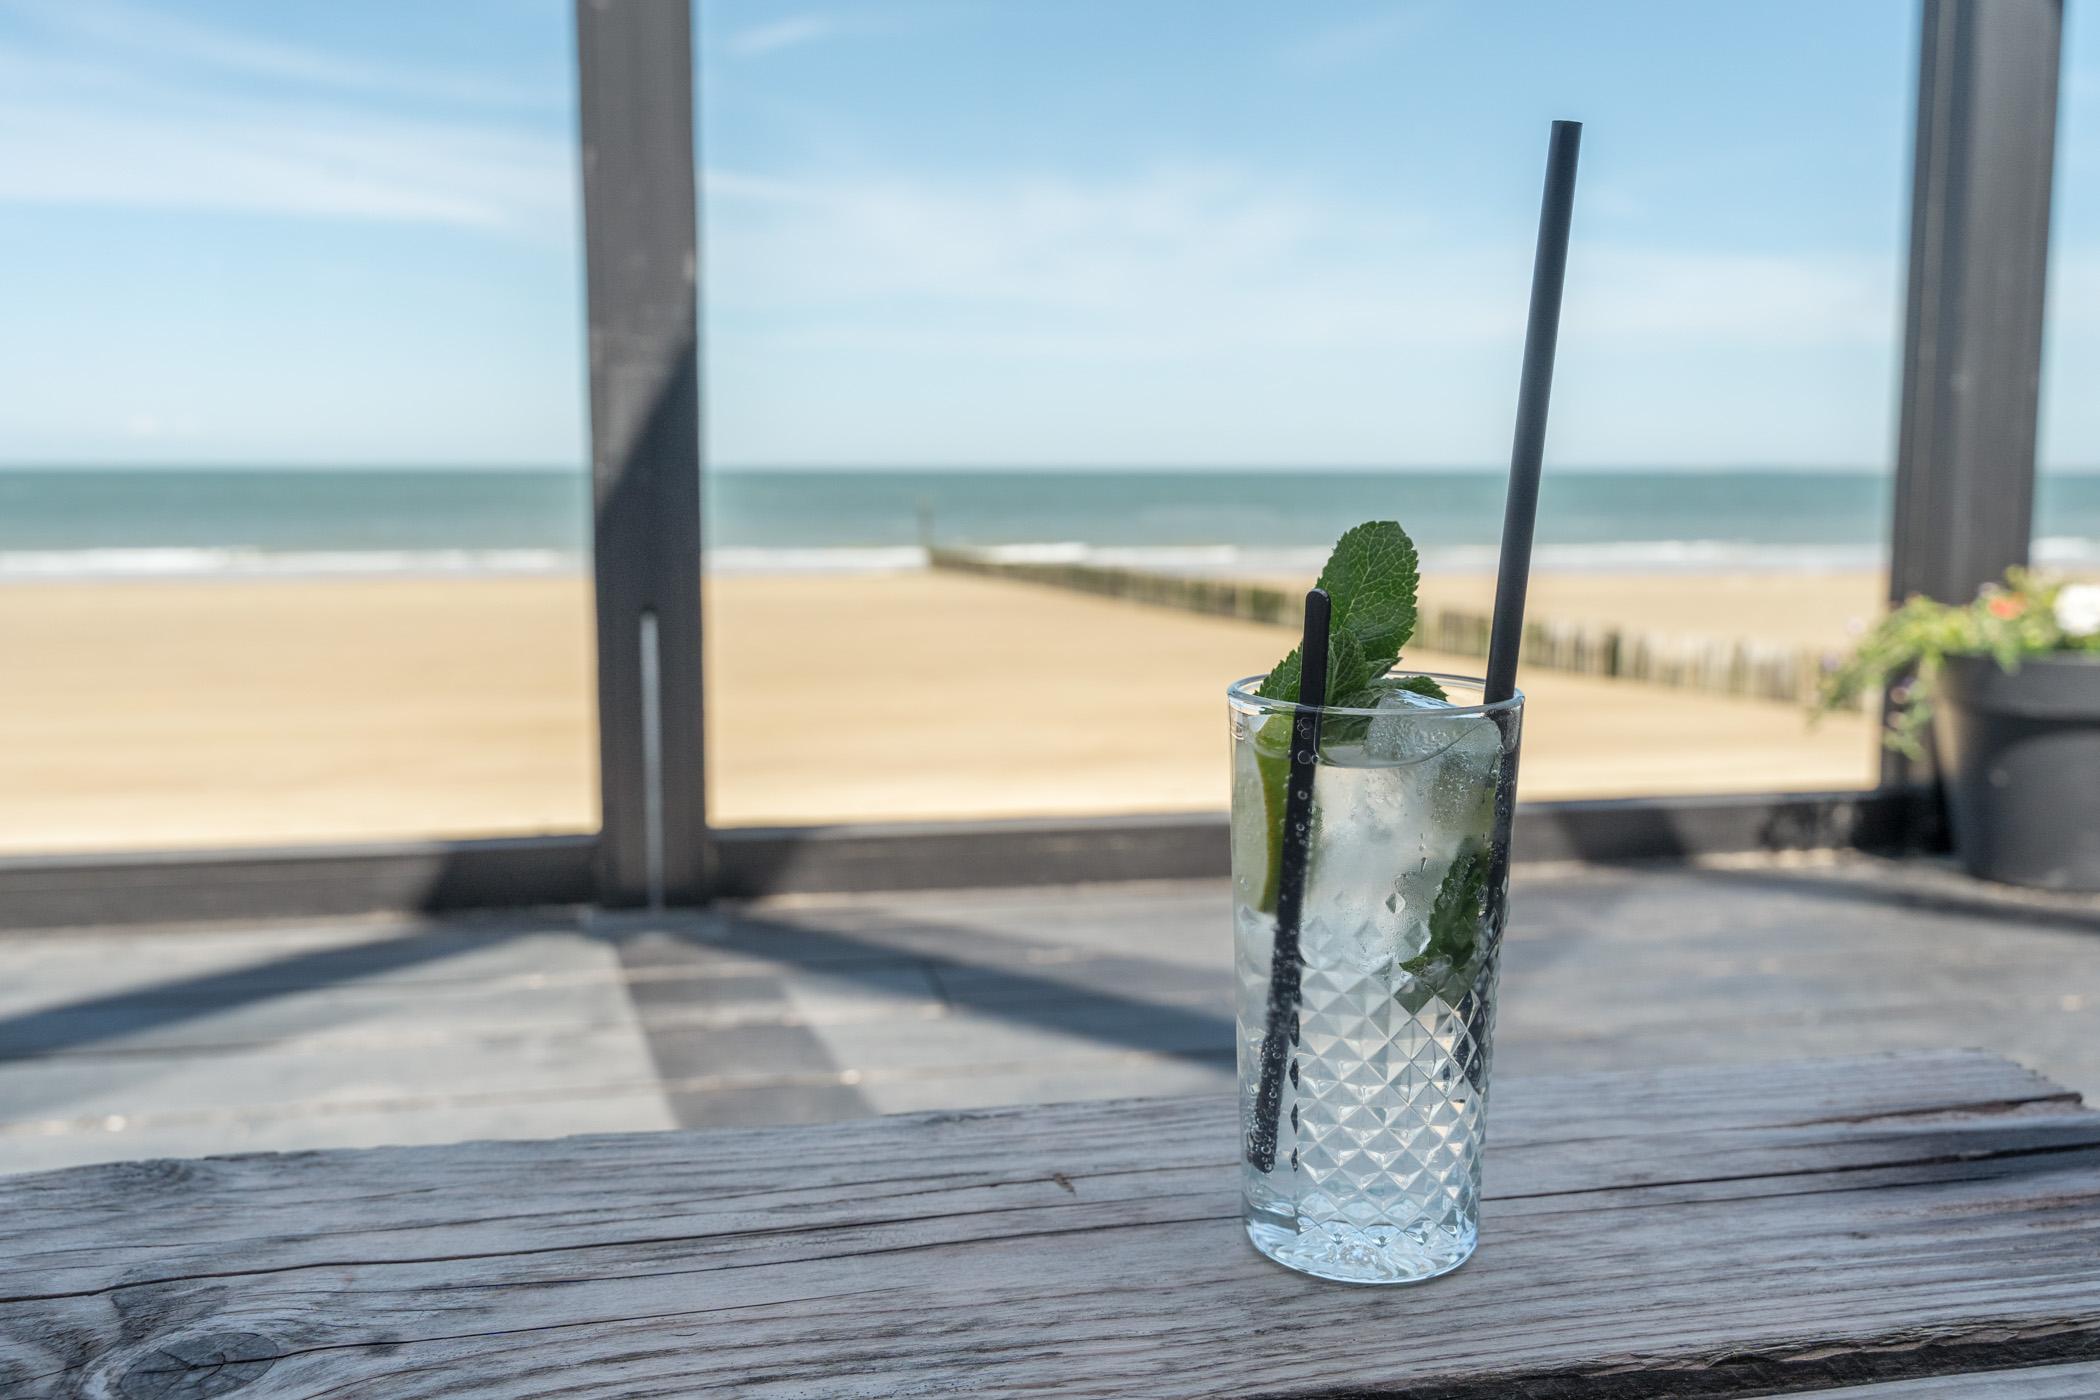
[1370,866]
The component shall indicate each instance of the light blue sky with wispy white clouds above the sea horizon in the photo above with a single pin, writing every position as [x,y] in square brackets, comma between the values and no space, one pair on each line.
[946,232]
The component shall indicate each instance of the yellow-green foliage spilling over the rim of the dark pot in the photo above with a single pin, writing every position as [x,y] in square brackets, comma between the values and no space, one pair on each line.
[2009,622]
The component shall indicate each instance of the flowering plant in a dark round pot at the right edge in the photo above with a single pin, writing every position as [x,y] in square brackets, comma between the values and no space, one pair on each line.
[2009,692]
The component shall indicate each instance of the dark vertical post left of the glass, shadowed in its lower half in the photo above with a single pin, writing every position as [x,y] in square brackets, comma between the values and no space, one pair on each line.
[642,270]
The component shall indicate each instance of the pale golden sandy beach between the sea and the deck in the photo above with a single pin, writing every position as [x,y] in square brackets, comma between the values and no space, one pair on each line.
[156,715]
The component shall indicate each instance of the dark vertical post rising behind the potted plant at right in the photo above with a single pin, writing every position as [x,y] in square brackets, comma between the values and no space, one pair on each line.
[1973,328]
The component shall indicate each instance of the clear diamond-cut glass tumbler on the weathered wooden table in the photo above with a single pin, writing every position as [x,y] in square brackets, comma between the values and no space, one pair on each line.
[1366,1023]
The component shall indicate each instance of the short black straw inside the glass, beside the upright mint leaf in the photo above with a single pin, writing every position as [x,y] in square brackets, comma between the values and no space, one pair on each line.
[1282,1030]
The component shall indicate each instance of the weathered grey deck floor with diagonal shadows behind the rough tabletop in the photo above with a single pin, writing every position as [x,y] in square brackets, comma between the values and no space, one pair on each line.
[190,1042]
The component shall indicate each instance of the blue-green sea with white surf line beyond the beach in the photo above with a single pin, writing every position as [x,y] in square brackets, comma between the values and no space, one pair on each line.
[222,522]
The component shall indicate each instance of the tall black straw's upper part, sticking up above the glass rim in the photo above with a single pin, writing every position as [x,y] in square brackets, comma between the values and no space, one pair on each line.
[1542,333]
